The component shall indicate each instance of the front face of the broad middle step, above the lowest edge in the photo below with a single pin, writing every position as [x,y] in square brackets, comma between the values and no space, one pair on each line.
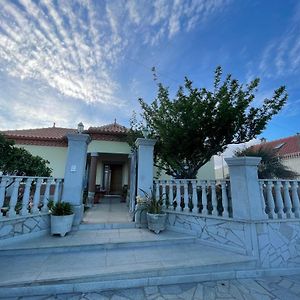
[149,272]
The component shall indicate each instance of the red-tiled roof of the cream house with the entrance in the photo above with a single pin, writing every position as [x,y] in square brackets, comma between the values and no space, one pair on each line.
[56,136]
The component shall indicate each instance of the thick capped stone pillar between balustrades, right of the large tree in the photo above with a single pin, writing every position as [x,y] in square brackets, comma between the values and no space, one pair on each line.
[247,203]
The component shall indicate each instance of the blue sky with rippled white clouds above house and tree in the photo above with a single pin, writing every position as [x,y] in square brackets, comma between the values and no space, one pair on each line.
[71,61]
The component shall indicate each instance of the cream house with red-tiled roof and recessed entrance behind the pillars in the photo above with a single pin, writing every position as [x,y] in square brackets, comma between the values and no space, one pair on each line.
[108,158]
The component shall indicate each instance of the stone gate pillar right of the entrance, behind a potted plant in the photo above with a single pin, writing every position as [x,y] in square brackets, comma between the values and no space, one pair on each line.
[144,176]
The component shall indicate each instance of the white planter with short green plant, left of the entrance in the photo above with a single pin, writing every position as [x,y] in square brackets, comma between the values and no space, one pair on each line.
[61,218]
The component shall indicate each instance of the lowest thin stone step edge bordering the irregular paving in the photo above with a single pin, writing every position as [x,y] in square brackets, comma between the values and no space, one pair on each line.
[85,287]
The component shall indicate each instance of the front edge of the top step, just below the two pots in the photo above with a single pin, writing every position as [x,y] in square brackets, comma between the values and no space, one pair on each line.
[95,246]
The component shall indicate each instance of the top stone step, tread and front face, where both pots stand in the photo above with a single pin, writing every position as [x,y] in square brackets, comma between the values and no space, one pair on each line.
[85,240]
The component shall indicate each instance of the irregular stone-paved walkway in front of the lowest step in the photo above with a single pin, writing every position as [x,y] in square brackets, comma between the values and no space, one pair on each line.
[271,288]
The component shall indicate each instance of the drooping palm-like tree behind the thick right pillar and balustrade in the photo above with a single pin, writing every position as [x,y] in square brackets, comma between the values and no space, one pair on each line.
[271,165]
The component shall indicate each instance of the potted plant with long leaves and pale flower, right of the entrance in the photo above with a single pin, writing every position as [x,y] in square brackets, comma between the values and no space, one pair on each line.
[156,218]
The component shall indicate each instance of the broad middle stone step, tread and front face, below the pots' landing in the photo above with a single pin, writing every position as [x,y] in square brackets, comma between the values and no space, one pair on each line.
[44,274]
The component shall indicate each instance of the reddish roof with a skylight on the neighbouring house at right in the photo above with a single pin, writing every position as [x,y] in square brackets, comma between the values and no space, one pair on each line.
[287,146]
